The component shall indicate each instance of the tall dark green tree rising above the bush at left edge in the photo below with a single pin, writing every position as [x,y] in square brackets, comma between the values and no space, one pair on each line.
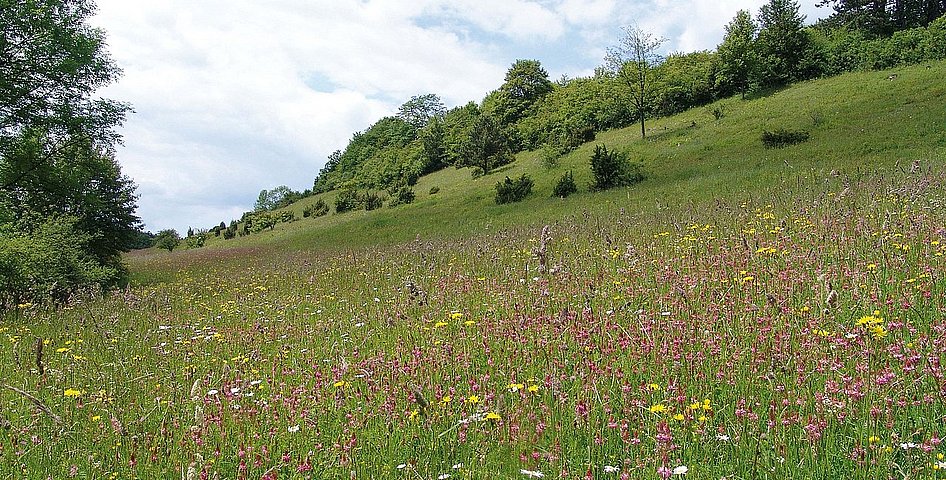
[56,139]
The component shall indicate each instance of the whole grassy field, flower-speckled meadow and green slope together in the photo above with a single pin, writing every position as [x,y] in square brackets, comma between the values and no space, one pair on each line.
[743,313]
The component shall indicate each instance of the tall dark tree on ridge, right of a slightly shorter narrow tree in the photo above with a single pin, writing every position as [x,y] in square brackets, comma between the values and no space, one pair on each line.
[782,44]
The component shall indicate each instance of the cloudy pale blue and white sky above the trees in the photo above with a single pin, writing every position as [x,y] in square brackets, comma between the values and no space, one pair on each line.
[234,96]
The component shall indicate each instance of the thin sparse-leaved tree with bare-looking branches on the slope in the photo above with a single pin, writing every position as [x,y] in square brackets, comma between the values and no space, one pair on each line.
[633,60]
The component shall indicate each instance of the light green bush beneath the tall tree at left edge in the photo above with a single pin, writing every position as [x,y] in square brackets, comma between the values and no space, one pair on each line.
[49,262]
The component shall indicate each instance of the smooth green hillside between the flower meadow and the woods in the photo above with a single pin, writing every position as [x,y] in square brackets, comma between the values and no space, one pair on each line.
[858,122]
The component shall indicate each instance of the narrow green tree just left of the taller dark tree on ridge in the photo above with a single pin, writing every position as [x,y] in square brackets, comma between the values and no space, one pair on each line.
[737,54]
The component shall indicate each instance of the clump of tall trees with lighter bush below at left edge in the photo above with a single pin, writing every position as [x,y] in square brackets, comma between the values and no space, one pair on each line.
[66,210]
